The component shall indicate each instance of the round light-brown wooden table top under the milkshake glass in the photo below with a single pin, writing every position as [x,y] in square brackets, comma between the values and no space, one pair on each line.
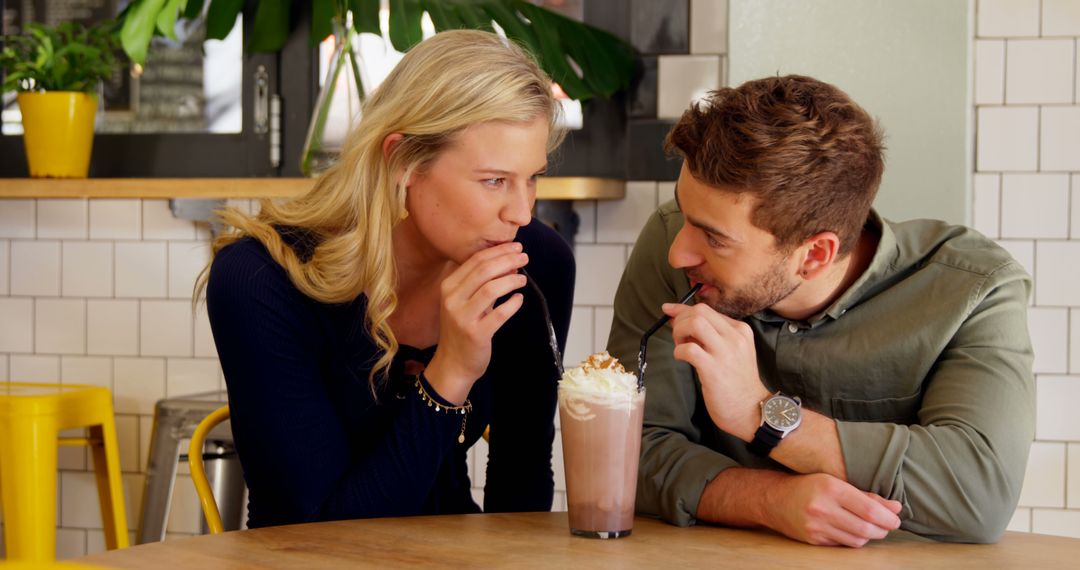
[542,540]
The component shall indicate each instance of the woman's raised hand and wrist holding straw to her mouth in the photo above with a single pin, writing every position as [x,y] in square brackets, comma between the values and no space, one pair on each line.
[469,319]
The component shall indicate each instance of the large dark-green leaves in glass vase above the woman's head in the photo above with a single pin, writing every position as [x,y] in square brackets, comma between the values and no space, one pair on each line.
[585,61]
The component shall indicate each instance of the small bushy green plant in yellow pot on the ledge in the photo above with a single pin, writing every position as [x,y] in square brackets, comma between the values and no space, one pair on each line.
[57,72]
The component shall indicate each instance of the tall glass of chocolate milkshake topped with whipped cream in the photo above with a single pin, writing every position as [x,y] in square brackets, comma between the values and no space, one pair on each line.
[601,412]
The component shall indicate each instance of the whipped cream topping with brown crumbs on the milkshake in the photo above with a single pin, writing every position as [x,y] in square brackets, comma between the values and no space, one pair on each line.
[600,381]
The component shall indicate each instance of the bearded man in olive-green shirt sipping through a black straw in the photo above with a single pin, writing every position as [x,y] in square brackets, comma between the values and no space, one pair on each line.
[841,376]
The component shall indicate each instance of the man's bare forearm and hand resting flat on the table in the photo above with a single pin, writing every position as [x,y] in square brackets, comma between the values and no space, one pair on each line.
[816,509]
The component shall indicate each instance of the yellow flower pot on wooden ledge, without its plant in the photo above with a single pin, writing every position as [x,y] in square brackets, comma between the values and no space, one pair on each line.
[59,133]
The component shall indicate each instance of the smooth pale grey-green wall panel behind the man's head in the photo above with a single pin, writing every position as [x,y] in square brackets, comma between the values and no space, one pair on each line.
[906,63]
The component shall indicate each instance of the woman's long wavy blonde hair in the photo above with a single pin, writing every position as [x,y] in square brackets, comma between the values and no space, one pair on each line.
[443,86]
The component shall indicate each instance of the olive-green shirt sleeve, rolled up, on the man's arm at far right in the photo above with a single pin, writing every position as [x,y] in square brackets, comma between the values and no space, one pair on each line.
[958,472]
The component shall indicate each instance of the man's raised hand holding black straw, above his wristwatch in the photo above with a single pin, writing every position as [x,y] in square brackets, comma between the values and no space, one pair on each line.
[722,351]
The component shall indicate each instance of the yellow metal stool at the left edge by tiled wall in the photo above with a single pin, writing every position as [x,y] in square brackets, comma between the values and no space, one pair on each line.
[32,418]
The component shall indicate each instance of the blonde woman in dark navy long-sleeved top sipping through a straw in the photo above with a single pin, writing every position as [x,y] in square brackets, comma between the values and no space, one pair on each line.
[371,330]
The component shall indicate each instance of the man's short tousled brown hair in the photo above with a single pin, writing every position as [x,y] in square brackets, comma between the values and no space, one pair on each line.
[812,156]
